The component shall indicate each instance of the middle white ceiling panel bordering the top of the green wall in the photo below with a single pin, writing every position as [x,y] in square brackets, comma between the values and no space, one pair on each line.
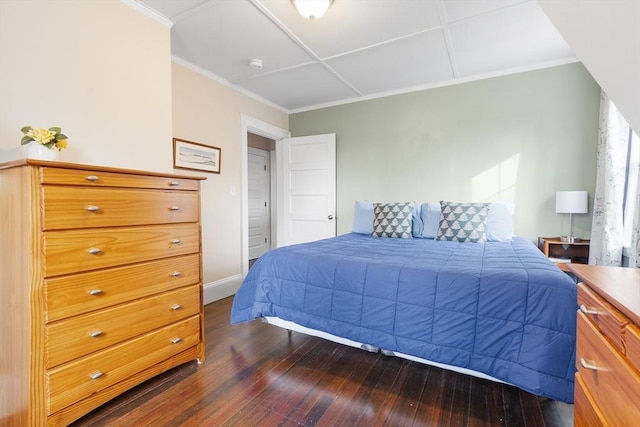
[413,61]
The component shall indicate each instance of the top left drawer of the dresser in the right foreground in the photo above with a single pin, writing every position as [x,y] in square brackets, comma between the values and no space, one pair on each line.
[604,316]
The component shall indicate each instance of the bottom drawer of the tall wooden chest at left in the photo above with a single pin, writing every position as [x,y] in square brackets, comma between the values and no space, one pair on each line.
[83,377]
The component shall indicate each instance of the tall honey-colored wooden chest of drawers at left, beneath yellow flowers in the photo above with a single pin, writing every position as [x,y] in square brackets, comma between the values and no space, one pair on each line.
[101,285]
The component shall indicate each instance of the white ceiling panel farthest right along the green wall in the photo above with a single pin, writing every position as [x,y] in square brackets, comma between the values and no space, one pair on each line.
[517,36]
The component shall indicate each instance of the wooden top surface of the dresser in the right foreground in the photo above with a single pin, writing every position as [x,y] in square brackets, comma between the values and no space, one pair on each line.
[618,285]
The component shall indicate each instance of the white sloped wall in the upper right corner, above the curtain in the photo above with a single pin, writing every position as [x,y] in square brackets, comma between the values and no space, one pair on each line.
[605,36]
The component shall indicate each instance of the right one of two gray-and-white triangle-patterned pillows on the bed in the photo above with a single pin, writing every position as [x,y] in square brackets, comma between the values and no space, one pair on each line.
[463,222]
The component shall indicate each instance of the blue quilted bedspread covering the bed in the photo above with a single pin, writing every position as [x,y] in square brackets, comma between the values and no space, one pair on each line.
[500,308]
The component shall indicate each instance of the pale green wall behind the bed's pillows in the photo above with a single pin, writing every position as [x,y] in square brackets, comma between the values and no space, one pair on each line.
[520,137]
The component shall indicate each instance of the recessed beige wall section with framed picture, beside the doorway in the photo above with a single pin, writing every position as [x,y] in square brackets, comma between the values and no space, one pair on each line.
[208,112]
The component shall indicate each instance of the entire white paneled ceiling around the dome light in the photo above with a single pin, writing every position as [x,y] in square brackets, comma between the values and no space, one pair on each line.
[376,46]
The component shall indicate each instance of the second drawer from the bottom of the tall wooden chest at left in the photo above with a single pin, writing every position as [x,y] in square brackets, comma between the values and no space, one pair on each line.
[77,336]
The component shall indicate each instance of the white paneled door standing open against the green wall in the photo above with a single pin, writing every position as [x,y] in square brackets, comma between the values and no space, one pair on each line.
[306,188]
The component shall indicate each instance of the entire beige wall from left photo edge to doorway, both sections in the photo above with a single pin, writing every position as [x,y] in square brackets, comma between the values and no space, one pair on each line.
[102,71]
